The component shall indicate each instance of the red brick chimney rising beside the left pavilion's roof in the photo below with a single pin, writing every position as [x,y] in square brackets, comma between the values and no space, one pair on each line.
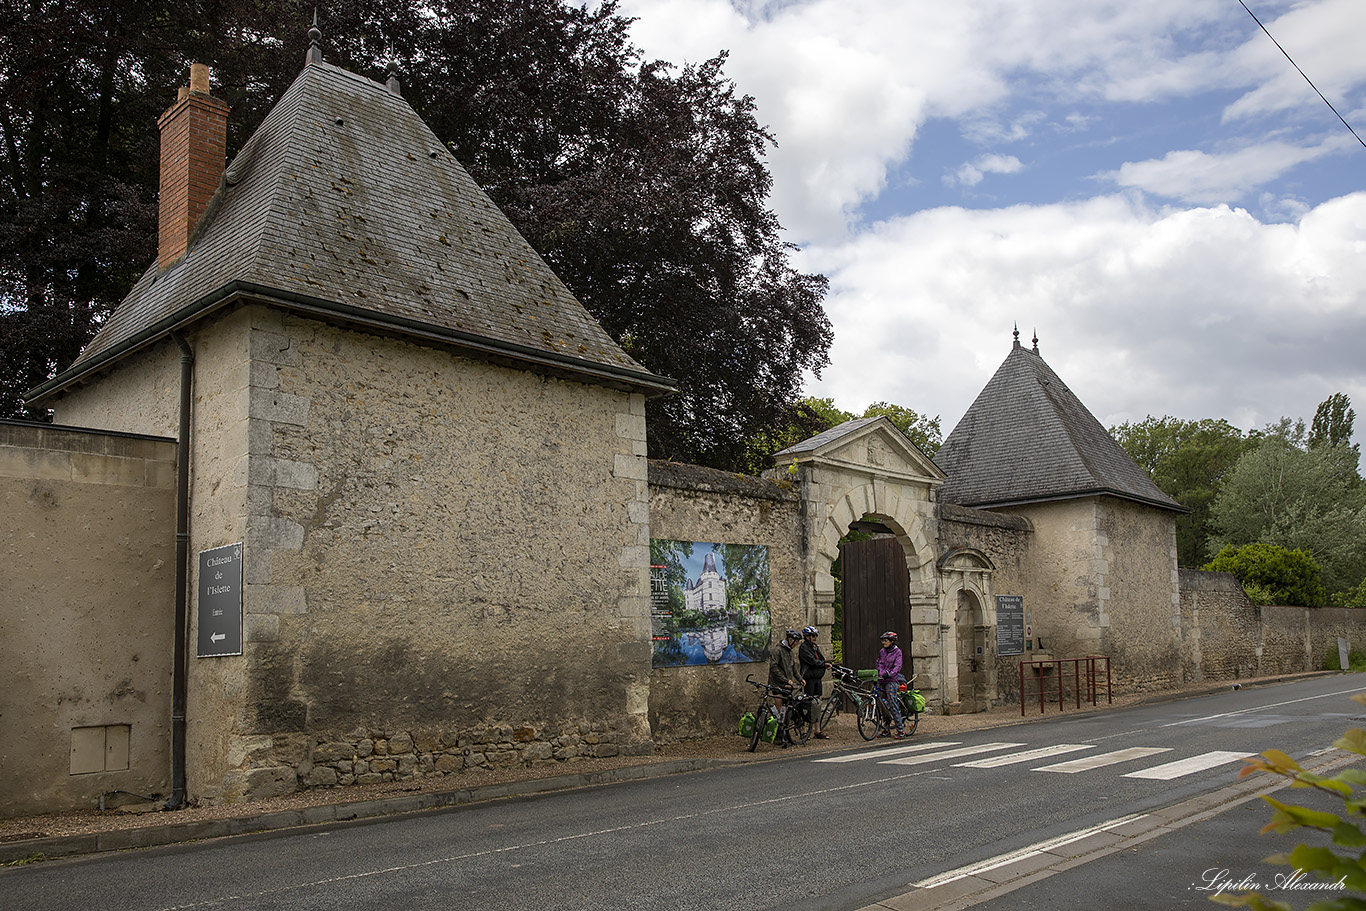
[195,144]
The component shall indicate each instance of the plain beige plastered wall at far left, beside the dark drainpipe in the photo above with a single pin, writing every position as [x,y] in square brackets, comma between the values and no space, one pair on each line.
[87,611]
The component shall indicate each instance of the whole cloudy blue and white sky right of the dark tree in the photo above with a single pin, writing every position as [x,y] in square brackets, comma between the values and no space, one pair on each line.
[1152,186]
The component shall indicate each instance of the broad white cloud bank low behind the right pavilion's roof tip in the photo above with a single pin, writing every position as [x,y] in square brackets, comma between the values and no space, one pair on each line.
[1195,313]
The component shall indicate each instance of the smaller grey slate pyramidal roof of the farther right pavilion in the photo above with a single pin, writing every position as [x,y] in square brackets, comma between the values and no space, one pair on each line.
[1029,439]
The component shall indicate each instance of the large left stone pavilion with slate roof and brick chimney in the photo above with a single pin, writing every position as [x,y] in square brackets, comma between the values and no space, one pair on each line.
[431,454]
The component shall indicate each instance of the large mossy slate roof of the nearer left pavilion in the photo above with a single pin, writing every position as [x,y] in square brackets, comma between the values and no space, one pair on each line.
[346,207]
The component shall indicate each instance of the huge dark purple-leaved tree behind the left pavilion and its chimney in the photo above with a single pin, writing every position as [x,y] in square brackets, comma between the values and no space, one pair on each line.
[644,185]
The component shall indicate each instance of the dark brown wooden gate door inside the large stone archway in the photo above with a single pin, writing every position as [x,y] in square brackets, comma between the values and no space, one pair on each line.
[878,596]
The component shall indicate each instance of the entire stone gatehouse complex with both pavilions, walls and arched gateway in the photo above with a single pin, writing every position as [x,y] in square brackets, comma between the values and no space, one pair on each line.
[435,464]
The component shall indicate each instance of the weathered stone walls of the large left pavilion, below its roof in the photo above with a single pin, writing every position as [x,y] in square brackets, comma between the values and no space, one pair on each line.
[435,548]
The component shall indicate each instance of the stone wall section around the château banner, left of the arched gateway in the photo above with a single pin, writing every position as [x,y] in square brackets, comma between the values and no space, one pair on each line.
[689,503]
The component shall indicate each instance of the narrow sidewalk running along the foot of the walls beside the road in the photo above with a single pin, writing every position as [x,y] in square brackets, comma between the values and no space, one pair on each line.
[32,839]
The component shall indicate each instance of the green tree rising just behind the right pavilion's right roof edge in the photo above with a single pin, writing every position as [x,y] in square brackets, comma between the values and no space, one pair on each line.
[1189,461]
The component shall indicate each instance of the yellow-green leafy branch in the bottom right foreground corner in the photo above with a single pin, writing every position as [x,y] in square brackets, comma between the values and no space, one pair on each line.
[1333,868]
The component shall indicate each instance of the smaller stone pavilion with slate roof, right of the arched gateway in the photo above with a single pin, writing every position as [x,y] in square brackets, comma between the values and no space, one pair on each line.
[1096,557]
